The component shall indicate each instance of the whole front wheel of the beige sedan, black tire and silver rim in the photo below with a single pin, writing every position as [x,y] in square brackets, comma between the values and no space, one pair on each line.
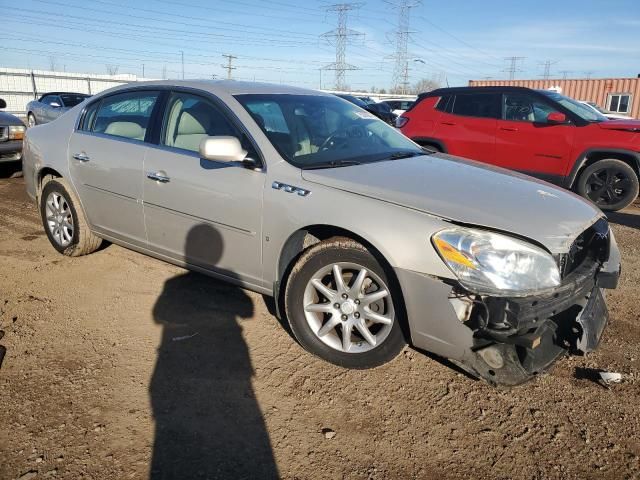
[342,307]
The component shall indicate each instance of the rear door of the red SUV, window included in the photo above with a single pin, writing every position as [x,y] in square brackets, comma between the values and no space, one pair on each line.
[466,125]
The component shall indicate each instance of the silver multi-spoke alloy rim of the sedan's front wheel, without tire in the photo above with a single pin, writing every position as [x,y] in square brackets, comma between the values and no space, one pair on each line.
[348,307]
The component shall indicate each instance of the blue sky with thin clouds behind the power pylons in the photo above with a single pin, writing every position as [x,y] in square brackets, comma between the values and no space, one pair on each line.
[280,40]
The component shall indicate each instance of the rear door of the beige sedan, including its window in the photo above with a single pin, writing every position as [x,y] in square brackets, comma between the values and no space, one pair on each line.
[106,158]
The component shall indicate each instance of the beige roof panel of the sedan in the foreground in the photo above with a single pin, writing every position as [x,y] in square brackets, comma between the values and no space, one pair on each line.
[228,87]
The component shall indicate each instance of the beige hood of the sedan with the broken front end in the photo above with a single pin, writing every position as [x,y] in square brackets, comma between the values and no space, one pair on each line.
[471,193]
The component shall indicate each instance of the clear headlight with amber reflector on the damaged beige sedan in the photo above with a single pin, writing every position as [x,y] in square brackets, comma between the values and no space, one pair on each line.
[488,263]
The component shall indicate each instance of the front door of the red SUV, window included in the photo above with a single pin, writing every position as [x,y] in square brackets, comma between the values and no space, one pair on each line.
[527,142]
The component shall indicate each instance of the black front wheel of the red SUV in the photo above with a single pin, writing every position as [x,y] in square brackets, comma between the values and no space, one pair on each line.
[611,184]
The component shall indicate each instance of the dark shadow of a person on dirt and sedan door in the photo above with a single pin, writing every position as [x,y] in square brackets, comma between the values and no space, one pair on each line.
[208,423]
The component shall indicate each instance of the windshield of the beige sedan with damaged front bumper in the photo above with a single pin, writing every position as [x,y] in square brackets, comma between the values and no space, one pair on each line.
[318,131]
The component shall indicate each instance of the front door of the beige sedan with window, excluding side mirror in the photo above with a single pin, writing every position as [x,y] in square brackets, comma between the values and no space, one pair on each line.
[202,212]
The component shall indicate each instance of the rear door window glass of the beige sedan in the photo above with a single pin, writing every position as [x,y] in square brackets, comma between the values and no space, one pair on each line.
[125,115]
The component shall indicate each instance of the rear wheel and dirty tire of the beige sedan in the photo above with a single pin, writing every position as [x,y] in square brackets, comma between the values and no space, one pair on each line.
[64,222]
